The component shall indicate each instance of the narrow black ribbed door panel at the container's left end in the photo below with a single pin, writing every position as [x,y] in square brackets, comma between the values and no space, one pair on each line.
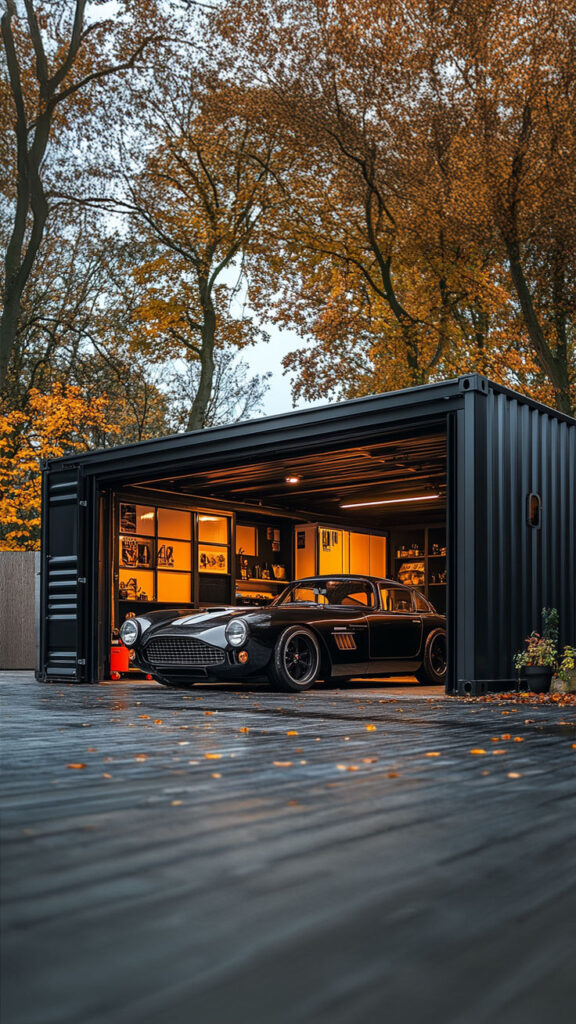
[64,581]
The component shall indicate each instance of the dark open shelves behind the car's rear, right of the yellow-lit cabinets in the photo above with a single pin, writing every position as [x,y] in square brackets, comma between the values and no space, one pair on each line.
[419,560]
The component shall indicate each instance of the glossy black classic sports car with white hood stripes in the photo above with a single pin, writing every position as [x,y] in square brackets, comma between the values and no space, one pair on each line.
[332,628]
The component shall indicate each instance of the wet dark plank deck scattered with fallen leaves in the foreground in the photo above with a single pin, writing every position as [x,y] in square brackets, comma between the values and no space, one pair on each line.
[233,857]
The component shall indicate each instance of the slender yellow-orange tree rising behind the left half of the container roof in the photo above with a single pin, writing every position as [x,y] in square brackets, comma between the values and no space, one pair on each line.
[197,202]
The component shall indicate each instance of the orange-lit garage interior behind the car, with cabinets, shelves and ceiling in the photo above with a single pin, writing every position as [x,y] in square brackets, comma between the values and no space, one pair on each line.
[239,535]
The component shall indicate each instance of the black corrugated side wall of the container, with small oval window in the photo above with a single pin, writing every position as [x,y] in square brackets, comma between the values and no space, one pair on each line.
[508,571]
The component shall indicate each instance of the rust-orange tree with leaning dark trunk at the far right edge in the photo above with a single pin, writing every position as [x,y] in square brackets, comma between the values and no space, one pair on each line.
[517,73]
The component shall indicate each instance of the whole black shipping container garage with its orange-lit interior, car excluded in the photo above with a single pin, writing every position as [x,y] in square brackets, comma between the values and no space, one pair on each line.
[464,488]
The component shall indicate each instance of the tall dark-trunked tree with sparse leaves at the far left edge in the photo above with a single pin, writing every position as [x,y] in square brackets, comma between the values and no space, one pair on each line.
[56,57]
